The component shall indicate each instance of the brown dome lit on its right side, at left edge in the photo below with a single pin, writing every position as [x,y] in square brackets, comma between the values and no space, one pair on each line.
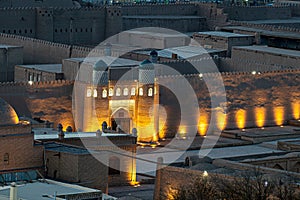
[8,115]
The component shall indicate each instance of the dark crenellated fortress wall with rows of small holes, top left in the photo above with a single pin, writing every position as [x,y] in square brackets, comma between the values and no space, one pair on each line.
[64,25]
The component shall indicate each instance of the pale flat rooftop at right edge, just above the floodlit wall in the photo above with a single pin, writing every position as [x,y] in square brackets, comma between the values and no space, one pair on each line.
[270,50]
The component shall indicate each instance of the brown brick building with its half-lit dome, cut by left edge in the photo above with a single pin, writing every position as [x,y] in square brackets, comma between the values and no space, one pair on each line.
[18,151]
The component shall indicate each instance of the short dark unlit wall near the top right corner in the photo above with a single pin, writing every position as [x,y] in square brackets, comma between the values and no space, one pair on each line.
[245,13]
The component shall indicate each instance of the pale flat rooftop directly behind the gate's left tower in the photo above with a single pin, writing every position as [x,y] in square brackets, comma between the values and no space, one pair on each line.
[108,60]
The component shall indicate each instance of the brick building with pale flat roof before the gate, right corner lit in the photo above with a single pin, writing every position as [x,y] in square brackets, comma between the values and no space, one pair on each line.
[89,159]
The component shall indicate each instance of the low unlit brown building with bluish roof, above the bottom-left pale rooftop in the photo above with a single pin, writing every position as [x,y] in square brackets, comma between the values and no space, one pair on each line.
[76,165]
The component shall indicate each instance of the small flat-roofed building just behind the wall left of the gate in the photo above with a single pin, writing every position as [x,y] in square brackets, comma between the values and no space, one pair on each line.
[42,72]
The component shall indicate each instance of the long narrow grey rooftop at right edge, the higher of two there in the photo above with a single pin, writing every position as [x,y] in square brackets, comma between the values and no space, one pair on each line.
[279,34]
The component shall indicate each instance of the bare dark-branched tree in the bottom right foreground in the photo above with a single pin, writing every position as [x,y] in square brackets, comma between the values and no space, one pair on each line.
[247,185]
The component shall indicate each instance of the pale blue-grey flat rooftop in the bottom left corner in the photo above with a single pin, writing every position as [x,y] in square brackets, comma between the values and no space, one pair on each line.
[44,190]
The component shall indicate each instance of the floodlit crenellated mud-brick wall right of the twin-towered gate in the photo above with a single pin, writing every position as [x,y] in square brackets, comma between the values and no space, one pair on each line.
[252,100]
